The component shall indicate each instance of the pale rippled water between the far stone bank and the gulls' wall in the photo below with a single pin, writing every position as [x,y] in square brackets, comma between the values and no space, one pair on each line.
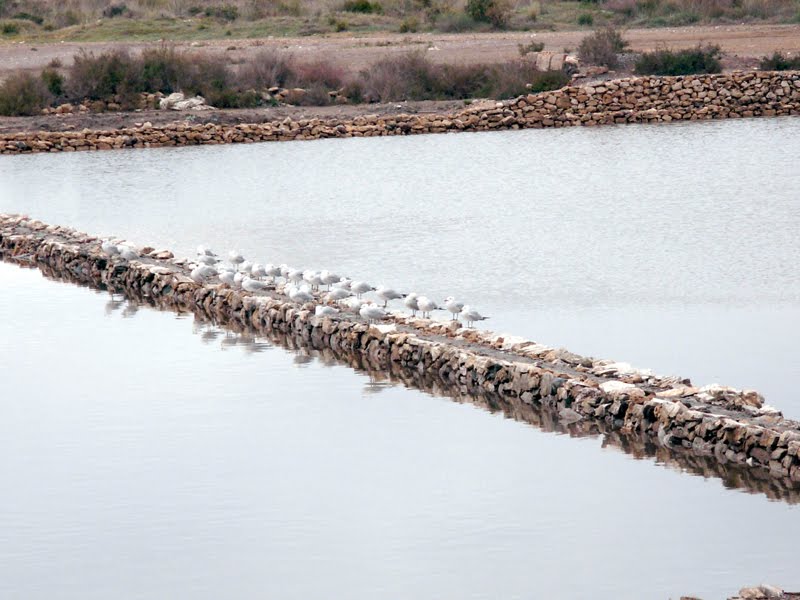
[671,247]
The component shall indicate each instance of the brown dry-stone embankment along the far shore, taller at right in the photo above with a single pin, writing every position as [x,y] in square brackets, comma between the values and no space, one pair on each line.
[631,100]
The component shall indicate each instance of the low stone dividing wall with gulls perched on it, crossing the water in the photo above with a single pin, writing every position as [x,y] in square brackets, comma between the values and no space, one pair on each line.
[524,379]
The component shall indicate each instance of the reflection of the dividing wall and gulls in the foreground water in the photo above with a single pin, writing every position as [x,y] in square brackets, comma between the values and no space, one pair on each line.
[380,377]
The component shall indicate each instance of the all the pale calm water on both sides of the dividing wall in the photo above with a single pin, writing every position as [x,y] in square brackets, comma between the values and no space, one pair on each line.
[148,457]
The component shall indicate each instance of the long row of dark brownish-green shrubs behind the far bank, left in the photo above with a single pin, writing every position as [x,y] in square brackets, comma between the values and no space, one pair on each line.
[121,79]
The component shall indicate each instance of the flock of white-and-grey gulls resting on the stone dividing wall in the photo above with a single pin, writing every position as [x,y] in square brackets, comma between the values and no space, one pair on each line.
[303,286]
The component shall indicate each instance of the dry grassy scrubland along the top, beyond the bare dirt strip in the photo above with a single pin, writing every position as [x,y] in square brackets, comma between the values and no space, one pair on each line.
[89,20]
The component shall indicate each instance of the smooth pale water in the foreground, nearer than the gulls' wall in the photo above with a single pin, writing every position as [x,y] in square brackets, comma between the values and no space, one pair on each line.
[145,455]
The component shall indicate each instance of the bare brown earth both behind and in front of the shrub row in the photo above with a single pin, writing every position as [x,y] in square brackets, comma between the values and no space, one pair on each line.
[743,44]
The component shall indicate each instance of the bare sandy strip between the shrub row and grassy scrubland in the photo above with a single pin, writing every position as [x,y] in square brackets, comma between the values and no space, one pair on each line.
[740,42]
